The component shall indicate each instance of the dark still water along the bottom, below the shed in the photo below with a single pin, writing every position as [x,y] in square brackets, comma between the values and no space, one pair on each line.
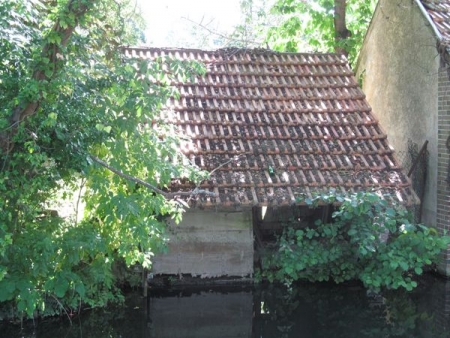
[318,310]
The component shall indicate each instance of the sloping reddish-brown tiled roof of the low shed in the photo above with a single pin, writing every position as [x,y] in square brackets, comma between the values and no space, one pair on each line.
[275,126]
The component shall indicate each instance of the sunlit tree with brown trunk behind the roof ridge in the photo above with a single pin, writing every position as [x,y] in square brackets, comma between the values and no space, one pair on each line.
[319,25]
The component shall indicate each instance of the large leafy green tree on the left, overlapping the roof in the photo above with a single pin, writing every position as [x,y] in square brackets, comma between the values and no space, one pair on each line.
[76,113]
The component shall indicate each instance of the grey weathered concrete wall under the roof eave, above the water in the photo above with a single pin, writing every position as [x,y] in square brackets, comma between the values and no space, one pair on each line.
[209,244]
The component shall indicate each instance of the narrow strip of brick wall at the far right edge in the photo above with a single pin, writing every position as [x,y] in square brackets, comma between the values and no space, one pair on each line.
[443,190]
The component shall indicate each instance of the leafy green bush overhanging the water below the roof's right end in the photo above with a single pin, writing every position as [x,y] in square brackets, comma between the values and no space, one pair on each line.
[369,239]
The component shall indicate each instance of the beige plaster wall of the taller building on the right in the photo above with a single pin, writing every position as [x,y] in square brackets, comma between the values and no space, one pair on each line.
[398,66]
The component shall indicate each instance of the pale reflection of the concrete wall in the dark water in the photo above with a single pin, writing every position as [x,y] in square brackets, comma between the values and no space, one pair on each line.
[202,314]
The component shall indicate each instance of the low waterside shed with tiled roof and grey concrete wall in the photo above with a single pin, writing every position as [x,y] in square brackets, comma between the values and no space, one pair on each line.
[271,128]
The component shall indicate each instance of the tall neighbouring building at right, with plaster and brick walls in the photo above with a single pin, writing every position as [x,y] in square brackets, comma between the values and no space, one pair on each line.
[403,72]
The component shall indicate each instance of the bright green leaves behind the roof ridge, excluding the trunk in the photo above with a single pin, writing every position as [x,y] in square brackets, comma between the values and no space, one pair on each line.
[303,26]
